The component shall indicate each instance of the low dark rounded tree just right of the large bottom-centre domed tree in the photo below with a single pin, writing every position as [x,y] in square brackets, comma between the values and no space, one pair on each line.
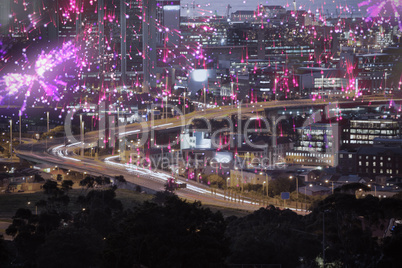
[271,236]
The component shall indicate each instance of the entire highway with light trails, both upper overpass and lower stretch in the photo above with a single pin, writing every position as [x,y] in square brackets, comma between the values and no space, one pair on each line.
[61,155]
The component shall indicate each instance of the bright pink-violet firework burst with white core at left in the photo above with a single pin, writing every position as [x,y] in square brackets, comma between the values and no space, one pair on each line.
[16,83]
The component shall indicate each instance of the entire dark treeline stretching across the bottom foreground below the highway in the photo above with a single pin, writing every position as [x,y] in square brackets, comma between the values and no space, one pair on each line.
[169,232]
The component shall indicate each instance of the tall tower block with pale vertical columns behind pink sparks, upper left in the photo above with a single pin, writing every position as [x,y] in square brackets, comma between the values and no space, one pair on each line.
[117,39]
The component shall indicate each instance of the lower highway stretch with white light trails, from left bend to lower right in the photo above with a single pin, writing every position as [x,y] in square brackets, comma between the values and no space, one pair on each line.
[62,156]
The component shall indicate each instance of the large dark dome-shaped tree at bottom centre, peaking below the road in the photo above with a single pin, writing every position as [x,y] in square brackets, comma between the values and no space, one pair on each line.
[178,234]
